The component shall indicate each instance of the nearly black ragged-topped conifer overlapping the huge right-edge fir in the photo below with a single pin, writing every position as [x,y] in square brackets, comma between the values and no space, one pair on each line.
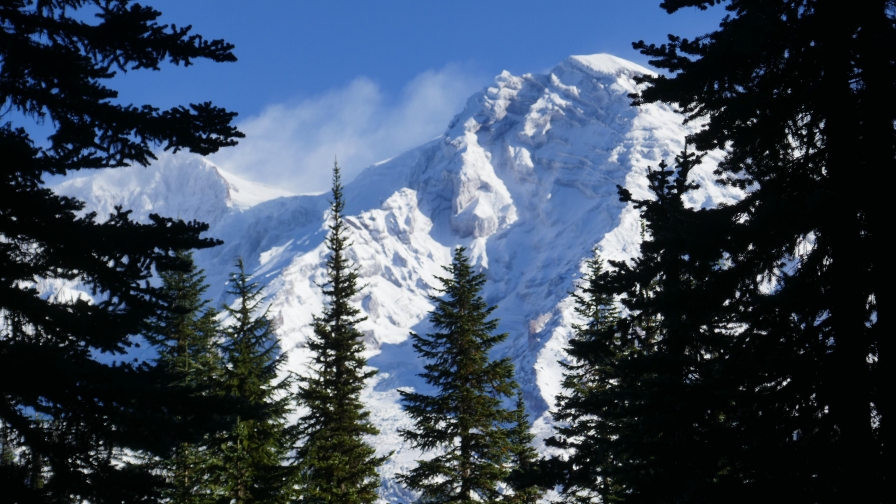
[665,405]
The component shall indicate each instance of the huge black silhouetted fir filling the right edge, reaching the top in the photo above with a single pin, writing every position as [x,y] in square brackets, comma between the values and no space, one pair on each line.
[798,93]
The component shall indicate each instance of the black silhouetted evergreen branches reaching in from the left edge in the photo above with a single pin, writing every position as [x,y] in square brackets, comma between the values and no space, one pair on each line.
[82,412]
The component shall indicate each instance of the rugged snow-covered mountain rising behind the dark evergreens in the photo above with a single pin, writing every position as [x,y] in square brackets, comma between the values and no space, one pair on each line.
[525,177]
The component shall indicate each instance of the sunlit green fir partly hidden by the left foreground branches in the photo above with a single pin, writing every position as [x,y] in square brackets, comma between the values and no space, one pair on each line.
[185,336]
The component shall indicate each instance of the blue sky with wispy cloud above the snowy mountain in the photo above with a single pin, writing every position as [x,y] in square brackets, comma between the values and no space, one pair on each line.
[366,80]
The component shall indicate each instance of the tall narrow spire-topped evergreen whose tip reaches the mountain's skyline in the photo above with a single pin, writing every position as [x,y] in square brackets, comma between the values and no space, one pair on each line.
[336,464]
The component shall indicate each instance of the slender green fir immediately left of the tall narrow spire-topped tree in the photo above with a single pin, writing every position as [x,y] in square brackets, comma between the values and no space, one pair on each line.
[253,453]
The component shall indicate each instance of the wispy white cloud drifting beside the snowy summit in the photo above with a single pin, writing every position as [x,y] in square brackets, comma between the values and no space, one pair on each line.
[293,146]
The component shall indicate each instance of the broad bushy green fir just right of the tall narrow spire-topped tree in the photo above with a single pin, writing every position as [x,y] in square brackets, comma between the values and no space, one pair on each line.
[465,422]
